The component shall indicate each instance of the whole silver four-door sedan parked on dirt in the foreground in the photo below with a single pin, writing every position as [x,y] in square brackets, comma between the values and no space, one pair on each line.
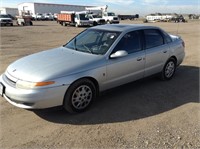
[97,59]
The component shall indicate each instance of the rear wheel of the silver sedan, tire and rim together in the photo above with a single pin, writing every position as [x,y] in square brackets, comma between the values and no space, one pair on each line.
[169,69]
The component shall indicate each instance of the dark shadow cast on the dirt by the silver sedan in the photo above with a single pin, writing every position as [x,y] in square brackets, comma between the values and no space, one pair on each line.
[136,100]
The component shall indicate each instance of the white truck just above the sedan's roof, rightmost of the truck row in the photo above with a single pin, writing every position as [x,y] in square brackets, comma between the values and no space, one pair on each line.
[110,18]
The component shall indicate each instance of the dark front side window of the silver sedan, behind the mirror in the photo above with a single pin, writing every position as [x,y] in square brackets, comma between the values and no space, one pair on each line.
[130,42]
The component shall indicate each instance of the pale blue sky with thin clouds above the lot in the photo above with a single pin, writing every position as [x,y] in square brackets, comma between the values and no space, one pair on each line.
[141,7]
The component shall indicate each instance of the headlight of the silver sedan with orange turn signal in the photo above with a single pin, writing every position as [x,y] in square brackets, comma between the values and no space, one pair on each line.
[29,85]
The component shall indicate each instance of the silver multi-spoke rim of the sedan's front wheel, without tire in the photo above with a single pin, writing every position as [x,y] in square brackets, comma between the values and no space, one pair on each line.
[82,97]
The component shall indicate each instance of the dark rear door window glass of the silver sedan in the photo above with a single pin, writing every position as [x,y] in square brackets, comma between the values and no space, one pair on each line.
[153,38]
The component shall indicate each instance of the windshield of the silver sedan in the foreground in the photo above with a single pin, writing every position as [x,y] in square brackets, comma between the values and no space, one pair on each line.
[93,41]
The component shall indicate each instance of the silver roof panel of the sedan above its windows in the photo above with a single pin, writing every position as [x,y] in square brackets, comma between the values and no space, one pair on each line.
[124,27]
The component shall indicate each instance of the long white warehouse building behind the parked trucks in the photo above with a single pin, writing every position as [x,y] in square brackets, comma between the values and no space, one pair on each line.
[34,8]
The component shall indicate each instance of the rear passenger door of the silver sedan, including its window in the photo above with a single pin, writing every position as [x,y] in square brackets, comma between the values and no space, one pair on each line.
[157,51]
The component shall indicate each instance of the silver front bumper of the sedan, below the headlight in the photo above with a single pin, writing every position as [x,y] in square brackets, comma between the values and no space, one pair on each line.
[33,98]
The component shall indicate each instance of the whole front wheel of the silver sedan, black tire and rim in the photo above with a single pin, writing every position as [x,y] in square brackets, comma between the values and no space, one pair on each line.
[79,96]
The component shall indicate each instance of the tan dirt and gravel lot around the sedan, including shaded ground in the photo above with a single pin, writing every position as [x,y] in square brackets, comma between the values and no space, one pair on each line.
[145,114]
